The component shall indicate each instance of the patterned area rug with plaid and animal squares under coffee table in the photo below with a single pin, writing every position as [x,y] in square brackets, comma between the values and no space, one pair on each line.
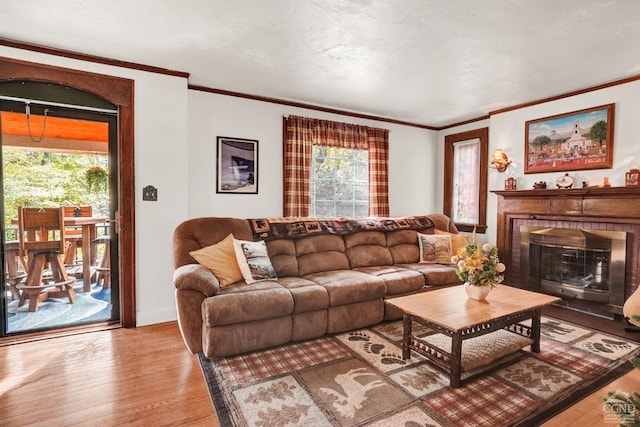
[359,379]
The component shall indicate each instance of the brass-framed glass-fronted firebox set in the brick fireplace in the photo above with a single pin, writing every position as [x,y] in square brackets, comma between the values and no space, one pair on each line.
[574,263]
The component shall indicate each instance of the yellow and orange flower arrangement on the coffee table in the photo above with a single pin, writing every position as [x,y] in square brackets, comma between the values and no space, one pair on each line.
[479,264]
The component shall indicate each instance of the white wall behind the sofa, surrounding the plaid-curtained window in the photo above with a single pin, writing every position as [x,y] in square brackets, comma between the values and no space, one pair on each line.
[412,156]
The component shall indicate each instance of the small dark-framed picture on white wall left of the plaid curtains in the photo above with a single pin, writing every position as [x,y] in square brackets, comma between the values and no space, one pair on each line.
[236,165]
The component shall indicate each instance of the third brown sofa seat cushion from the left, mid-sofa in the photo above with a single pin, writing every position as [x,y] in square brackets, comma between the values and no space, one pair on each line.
[349,286]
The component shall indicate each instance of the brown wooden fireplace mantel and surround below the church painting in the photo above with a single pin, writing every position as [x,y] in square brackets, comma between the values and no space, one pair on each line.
[615,208]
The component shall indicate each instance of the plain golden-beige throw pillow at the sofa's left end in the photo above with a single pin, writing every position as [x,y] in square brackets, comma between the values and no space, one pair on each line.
[221,260]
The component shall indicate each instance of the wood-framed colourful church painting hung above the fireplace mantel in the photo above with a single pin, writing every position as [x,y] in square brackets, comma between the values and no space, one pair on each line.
[572,141]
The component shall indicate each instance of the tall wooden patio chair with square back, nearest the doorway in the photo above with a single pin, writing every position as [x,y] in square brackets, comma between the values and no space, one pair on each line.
[41,233]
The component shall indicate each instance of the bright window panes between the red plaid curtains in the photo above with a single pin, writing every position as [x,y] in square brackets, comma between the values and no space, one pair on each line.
[339,182]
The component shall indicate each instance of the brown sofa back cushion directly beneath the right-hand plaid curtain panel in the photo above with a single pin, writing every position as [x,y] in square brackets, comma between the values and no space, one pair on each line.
[367,249]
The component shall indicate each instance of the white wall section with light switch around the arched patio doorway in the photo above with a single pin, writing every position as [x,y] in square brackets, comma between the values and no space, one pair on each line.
[161,153]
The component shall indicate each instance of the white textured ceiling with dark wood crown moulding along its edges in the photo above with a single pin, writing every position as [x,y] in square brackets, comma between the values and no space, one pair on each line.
[429,62]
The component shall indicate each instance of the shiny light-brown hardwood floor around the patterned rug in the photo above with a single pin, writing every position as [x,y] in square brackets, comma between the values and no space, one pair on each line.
[144,377]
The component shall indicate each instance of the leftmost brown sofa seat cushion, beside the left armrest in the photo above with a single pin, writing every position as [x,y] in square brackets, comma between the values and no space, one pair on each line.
[240,303]
